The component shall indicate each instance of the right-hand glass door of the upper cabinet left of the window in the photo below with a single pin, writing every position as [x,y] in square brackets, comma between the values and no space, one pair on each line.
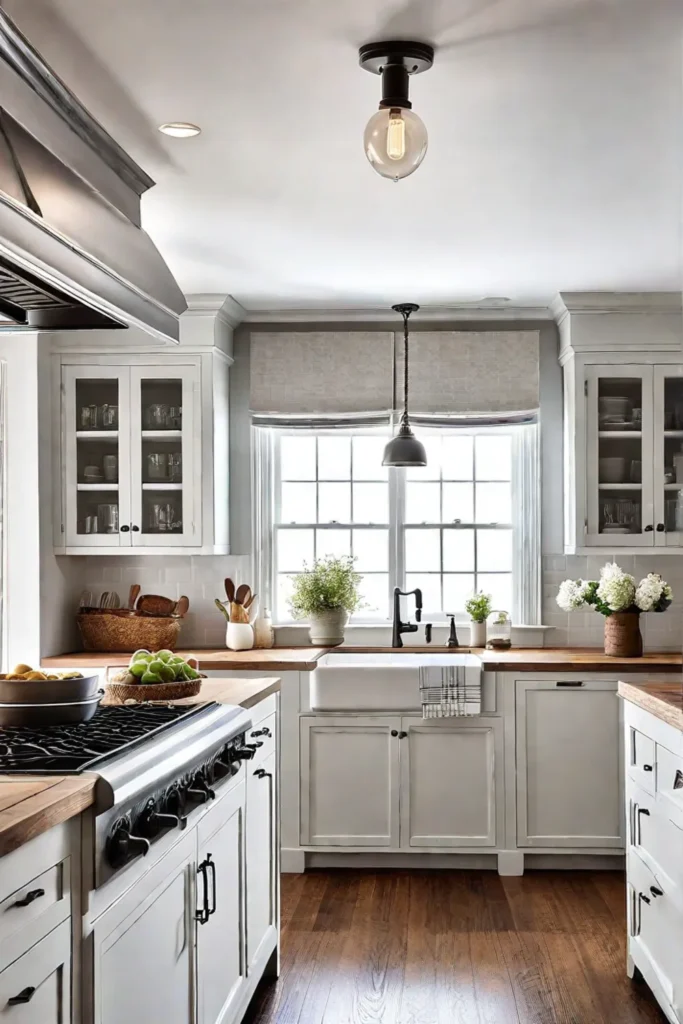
[165,457]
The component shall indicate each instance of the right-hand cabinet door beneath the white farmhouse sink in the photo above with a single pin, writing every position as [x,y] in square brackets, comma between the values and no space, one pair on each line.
[448,783]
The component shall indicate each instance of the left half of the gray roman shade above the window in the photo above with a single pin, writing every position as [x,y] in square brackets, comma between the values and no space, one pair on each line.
[322,374]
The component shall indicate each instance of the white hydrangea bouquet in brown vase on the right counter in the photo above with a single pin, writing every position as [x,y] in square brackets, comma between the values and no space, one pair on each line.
[617,596]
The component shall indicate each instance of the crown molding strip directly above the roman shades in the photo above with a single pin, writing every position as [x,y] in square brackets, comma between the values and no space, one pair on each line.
[344,315]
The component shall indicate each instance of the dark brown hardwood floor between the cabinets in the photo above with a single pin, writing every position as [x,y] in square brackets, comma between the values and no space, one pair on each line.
[454,948]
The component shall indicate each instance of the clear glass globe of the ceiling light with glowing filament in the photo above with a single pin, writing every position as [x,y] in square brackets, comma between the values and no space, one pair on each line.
[396,143]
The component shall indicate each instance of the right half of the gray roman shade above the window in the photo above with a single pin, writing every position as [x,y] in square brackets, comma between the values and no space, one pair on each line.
[473,373]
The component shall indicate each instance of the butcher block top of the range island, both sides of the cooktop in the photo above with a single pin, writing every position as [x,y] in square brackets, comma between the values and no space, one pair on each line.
[32,804]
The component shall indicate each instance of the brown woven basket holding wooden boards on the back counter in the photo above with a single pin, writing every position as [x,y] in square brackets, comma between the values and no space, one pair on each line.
[125,634]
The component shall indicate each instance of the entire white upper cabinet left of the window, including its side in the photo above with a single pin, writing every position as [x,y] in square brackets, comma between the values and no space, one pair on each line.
[139,457]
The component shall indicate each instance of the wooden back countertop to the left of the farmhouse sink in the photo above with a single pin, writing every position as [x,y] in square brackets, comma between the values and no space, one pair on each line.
[277,660]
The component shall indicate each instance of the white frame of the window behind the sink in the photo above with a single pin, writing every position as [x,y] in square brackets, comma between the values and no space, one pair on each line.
[526,526]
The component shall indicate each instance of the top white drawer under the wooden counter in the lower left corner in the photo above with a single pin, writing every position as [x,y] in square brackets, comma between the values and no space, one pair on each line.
[34,910]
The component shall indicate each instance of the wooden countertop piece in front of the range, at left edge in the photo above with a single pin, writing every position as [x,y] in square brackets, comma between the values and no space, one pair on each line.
[32,804]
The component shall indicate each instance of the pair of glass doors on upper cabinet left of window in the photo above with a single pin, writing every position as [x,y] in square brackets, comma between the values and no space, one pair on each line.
[133,450]
